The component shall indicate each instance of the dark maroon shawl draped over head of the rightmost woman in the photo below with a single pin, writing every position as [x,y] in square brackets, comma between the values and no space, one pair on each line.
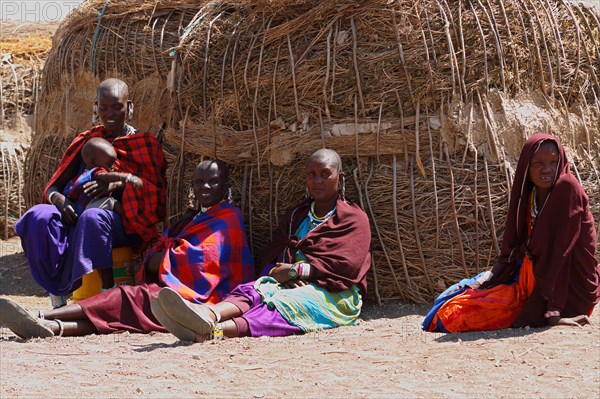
[561,245]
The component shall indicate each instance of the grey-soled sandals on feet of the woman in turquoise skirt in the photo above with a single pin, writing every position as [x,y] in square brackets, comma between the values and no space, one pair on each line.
[193,316]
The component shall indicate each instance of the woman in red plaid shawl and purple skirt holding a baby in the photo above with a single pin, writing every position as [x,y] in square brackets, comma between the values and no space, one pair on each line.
[62,246]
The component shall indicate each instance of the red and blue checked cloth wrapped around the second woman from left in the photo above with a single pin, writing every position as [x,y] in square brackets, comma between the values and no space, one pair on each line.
[208,258]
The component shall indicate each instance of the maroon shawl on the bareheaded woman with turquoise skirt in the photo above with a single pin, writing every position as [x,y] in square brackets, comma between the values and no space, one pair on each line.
[338,249]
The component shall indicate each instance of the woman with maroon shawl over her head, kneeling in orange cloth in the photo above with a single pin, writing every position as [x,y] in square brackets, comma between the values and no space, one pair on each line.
[547,273]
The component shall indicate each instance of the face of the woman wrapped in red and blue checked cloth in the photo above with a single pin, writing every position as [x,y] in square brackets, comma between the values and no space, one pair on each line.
[209,184]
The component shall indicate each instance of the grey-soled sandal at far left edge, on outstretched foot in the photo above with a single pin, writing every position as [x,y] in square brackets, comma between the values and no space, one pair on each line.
[20,322]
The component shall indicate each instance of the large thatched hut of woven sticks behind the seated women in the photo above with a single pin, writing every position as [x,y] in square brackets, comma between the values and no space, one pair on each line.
[427,101]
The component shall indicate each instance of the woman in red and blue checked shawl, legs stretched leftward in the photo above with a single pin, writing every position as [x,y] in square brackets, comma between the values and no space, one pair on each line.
[202,258]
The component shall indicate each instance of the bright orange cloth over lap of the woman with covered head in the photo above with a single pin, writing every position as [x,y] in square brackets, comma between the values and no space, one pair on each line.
[492,309]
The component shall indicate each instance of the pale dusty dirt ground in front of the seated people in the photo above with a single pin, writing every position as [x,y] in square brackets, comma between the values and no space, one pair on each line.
[386,355]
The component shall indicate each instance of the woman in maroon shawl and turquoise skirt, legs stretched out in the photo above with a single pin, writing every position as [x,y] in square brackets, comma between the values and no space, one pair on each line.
[319,260]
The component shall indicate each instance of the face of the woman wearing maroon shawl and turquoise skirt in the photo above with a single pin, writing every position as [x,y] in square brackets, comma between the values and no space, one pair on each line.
[322,180]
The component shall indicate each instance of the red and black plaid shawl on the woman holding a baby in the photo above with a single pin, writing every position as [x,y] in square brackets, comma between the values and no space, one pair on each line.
[141,155]
